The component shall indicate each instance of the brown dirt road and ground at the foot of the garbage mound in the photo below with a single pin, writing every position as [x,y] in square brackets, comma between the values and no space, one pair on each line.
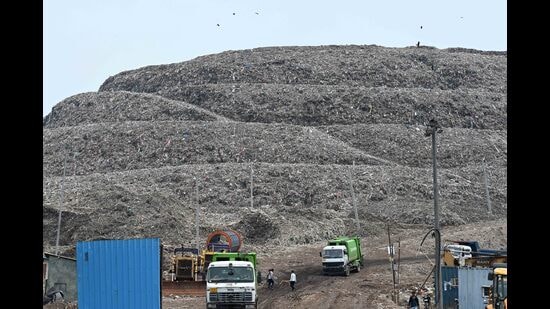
[370,288]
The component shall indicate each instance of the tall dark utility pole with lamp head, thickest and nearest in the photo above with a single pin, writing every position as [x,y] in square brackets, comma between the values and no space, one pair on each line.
[432,128]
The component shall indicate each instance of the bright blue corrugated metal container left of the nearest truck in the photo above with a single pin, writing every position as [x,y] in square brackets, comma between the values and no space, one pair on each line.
[119,274]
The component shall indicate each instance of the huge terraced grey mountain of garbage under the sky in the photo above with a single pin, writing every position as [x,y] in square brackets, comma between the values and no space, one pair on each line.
[310,131]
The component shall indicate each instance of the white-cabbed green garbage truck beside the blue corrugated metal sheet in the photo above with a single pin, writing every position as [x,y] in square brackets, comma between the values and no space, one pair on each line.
[232,280]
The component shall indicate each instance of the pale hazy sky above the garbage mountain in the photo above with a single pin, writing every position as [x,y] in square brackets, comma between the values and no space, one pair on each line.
[85,42]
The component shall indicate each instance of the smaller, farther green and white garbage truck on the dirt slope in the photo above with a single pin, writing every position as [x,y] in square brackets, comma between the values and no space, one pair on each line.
[342,255]
